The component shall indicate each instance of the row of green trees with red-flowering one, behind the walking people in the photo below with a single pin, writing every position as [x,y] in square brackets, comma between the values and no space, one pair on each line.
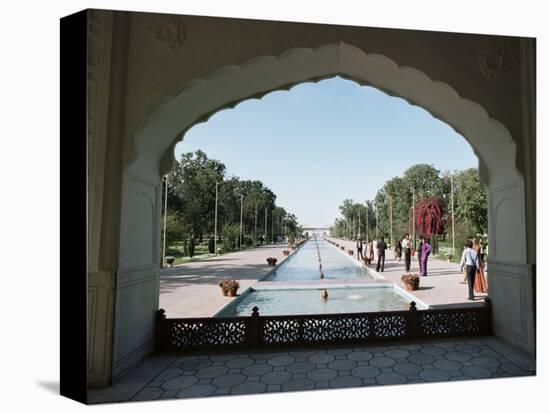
[431,190]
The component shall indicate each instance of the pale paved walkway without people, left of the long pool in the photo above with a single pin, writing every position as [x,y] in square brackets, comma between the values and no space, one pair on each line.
[191,289]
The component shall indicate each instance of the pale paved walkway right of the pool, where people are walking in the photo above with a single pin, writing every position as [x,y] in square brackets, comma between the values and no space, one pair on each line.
[441,288]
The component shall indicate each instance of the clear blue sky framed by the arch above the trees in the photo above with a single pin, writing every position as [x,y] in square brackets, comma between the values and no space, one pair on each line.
[319,144]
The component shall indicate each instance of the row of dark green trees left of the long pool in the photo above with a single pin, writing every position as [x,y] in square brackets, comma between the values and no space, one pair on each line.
[191,205]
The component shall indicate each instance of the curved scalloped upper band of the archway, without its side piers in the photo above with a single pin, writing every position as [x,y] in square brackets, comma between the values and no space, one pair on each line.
[199,99]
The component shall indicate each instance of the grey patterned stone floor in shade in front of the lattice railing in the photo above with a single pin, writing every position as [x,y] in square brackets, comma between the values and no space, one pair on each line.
[252,373]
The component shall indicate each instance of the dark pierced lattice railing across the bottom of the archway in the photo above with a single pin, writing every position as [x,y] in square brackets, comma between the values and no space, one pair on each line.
[258,332]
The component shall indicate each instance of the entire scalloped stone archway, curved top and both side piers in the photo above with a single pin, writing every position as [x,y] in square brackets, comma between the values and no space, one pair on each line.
[152,154]
